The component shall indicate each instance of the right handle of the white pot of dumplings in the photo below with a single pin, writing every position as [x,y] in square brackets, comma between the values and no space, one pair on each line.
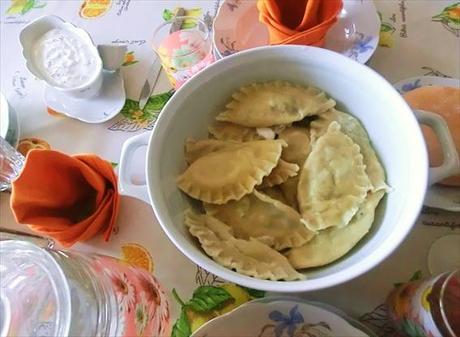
[451,164]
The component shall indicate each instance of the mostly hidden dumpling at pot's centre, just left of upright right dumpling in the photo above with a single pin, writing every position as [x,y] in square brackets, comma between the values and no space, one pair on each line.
[298,141]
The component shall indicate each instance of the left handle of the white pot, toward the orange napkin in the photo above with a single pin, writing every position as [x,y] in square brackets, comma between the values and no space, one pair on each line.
[124,175]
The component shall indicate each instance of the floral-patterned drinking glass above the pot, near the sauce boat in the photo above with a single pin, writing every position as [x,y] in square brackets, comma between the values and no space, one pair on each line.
[184,46]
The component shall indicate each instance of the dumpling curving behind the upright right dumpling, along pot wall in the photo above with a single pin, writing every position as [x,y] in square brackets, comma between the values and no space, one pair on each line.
[352,128]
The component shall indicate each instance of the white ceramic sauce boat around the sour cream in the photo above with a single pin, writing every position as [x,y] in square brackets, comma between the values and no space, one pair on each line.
[32,32]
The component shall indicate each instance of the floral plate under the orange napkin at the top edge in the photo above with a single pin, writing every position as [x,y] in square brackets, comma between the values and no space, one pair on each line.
[356,33]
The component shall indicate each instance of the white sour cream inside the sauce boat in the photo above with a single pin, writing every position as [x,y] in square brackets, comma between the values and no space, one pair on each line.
[64,59]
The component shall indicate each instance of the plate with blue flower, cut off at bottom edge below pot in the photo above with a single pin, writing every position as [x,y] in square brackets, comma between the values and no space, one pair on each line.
[280,317]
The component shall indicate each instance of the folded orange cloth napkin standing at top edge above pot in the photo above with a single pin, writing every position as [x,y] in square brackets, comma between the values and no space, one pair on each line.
[304,22]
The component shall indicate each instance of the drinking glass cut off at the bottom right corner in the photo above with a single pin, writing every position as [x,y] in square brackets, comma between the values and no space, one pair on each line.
[429,307]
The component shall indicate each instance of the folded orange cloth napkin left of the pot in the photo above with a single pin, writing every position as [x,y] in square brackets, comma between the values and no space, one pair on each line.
[68,198]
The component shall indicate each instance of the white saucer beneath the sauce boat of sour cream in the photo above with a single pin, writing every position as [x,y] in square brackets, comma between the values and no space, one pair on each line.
[98,109]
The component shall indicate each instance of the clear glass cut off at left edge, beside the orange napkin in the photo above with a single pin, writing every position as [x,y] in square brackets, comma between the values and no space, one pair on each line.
[11,163]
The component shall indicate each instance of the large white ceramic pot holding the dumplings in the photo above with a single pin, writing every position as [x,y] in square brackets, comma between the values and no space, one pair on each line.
[393,129]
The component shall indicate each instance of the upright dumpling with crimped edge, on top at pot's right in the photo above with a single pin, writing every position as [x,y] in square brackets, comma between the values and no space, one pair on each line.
[333,182]
